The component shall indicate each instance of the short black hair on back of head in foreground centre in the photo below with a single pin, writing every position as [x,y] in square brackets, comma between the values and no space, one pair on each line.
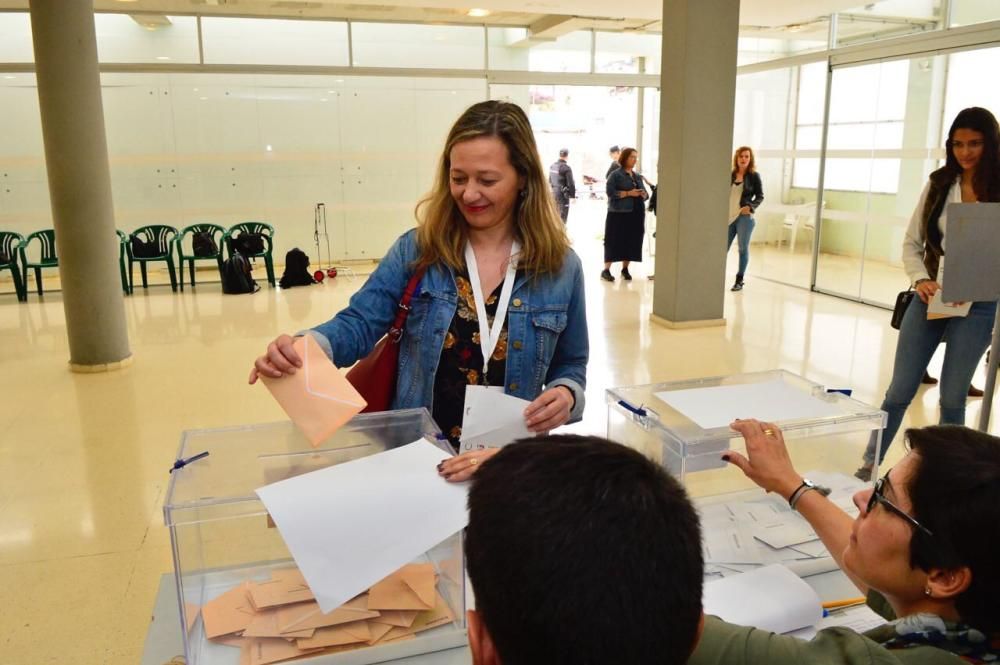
[583,552]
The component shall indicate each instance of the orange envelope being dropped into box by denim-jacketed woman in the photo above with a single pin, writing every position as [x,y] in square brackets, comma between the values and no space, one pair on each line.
[317,398]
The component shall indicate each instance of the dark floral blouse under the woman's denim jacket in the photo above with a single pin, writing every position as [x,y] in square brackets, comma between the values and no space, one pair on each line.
[461,361]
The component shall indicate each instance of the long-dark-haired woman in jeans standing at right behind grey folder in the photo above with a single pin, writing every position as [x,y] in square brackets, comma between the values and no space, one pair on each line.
[971,173]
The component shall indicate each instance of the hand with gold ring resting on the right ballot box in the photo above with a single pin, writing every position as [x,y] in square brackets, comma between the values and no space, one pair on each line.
[769,464]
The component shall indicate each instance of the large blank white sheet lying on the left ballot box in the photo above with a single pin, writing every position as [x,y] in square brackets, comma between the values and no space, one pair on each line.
[348,526]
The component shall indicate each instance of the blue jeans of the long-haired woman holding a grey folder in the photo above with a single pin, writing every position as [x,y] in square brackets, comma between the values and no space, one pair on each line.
[966,338]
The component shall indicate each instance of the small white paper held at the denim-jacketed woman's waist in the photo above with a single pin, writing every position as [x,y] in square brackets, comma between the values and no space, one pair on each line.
[492,419]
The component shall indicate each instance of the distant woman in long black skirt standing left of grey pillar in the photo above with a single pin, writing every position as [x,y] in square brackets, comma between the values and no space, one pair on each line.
[625,225]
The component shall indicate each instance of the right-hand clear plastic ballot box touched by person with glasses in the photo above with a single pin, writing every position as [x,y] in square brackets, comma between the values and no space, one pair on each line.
[684,425]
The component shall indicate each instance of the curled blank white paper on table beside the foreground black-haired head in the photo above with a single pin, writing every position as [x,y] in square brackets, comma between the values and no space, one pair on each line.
[788,603]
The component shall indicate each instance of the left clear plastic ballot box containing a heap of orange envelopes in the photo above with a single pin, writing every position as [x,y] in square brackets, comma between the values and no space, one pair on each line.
[242,598]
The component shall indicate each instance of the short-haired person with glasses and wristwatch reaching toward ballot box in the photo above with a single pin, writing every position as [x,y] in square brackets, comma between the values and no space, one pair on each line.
[924,549]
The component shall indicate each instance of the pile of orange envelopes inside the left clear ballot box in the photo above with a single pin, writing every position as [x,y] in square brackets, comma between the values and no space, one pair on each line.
[278,620]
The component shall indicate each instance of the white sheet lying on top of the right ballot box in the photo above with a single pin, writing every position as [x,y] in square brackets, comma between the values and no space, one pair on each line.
[772,401]
